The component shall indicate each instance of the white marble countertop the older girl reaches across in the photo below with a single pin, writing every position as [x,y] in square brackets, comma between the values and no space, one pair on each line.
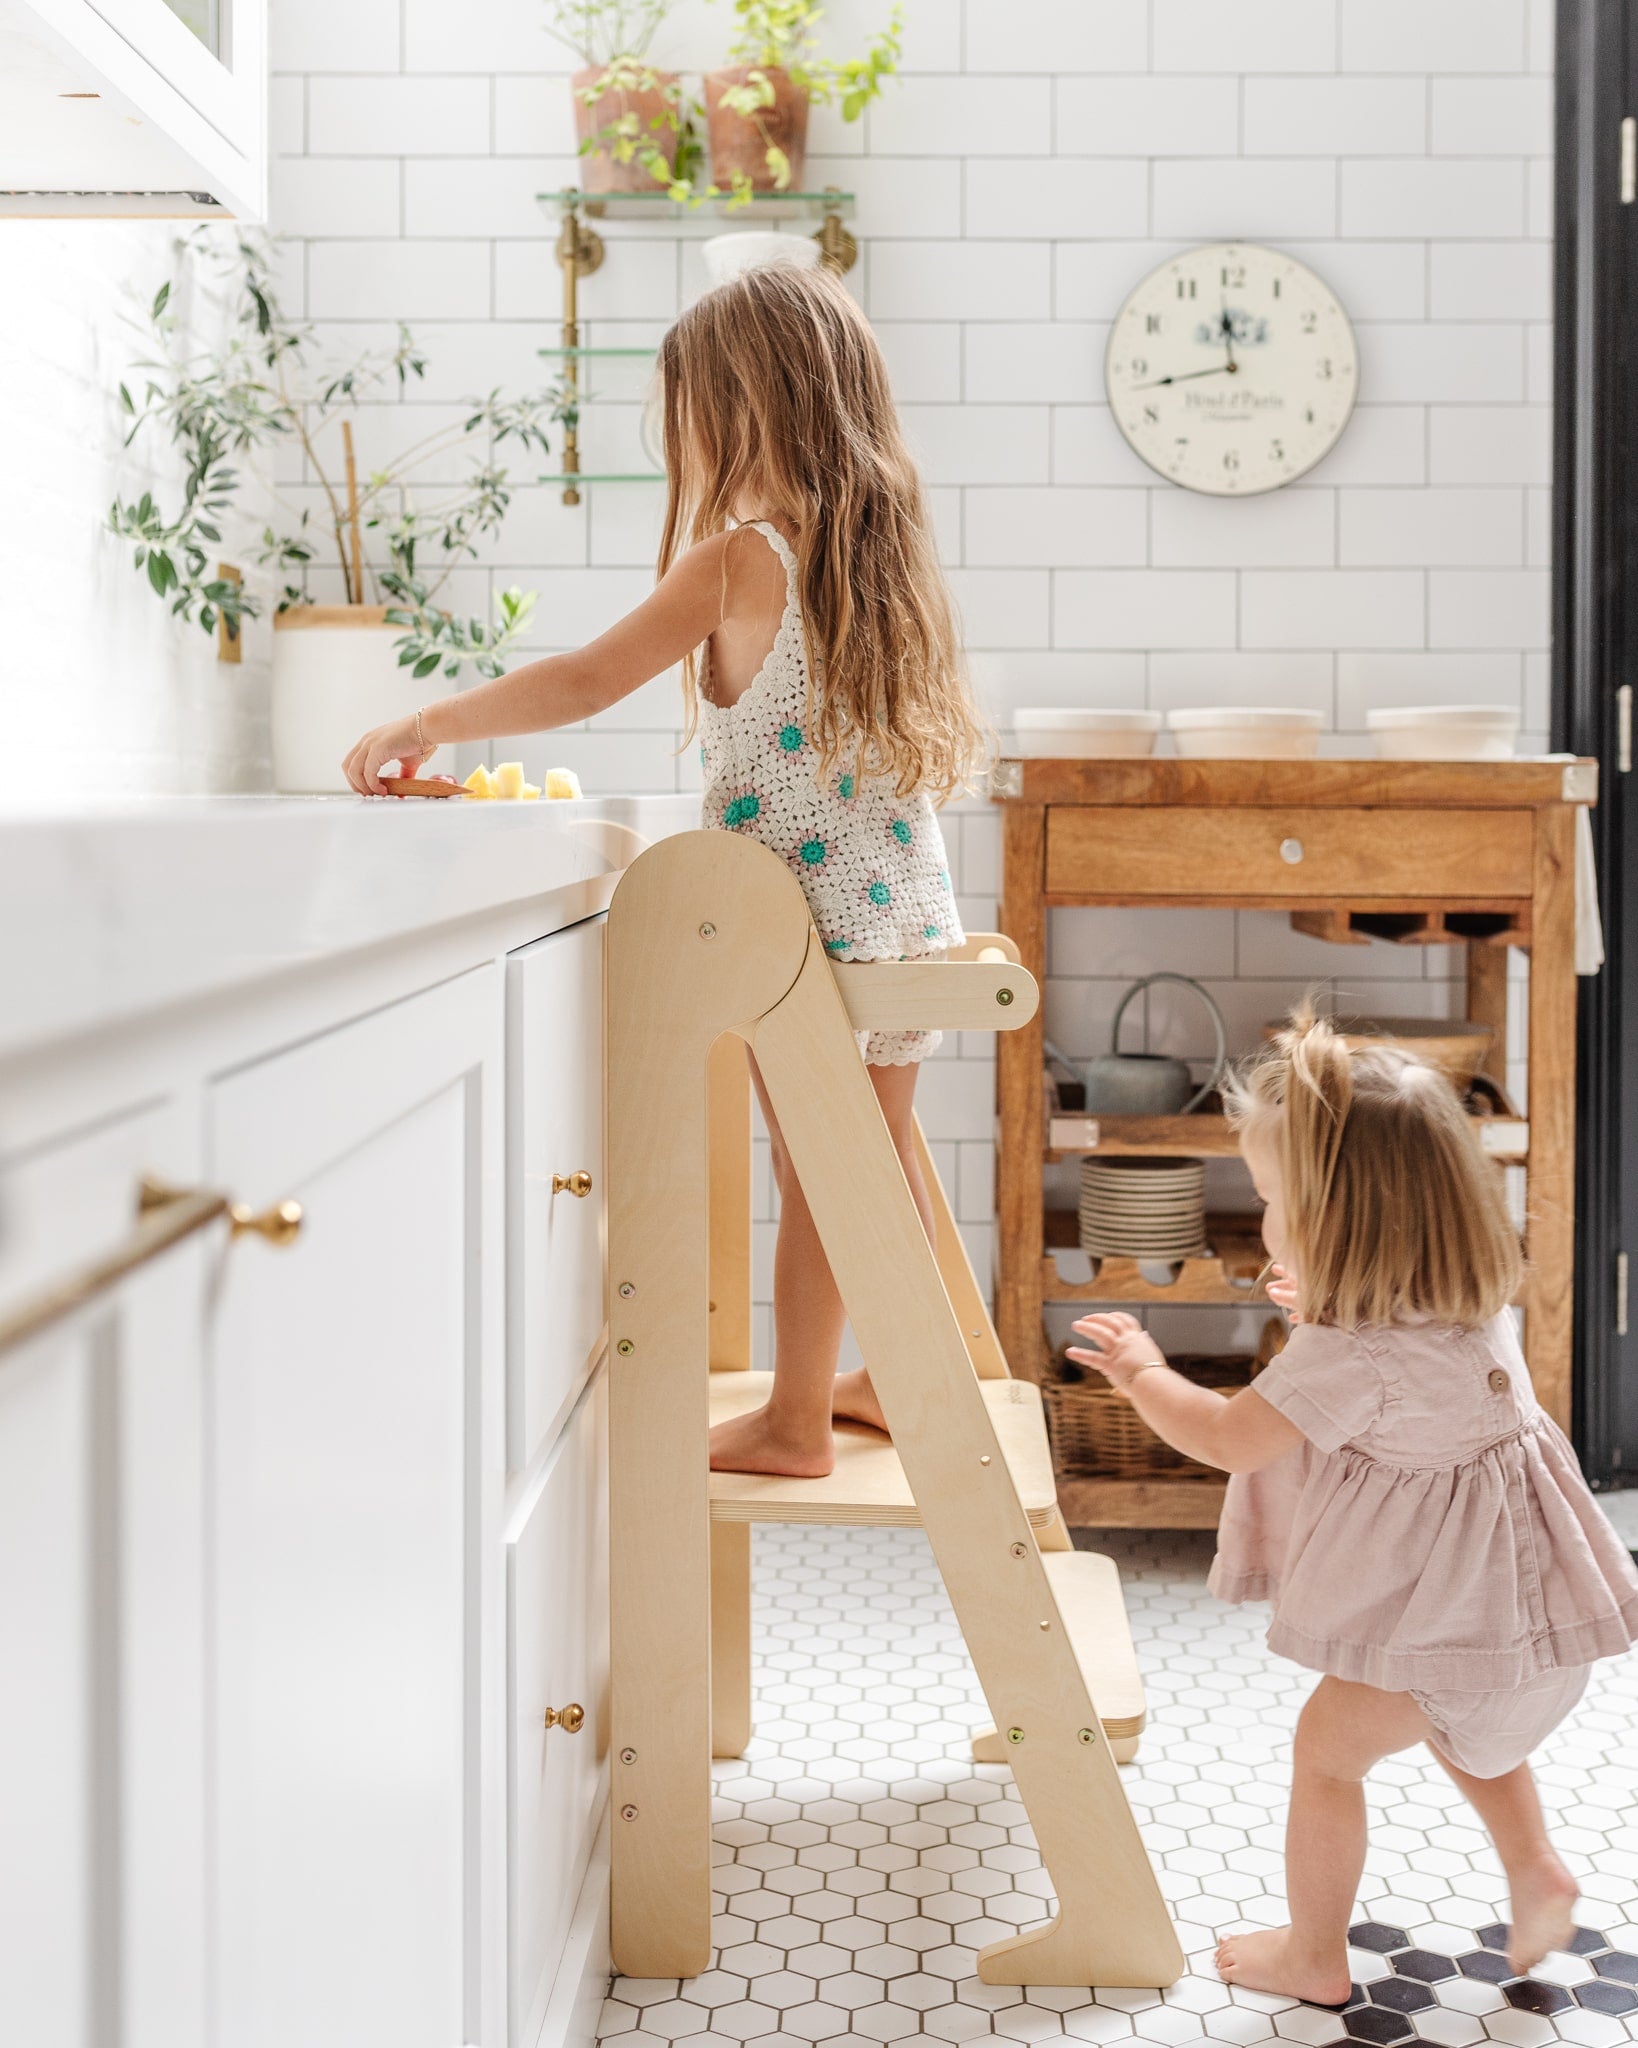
[110,908]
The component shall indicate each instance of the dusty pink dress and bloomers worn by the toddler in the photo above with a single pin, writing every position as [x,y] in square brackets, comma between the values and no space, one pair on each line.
[1432,1535]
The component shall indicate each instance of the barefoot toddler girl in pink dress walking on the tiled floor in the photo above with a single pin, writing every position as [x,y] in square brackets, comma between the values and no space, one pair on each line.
[1420,1525]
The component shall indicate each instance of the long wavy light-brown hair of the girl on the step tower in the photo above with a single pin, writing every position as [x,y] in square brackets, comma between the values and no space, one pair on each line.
[777,396]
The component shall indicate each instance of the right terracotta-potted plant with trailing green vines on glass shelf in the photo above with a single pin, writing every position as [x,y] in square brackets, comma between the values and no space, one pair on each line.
[759,101]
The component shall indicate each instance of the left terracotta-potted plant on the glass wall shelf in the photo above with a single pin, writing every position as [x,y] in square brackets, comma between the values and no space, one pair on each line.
[630,118]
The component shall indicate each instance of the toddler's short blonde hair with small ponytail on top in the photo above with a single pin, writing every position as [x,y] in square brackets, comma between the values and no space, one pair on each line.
[1391,1207]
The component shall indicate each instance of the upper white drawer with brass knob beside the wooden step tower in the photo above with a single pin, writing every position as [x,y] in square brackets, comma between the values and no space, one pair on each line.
[556,1238]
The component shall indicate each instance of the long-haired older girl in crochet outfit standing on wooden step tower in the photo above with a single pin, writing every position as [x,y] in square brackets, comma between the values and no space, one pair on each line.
[800,589]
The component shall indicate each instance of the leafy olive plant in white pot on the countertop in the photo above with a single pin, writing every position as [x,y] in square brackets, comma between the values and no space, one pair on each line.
[337,669]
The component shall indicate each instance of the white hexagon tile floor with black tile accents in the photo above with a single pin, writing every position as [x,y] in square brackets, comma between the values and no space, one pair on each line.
[863,1859]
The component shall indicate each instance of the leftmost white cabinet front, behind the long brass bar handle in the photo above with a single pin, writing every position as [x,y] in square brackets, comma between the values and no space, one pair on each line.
[103,1603]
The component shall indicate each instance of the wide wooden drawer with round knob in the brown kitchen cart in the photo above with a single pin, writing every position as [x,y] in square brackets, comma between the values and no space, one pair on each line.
[1287,853]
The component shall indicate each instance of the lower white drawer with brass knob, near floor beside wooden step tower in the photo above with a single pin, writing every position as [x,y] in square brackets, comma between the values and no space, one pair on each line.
[558,1656]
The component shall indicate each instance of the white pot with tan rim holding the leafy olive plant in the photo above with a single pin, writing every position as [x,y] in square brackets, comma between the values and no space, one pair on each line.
[335,677]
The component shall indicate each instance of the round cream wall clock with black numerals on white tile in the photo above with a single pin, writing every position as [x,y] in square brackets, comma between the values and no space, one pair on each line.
[1232,370]
